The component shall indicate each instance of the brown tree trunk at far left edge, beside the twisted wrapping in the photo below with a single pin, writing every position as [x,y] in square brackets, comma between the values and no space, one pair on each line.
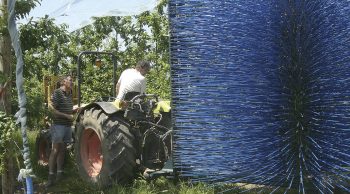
[8,178]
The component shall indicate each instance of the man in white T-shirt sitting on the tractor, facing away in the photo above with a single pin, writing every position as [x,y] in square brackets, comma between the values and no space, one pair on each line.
[132,80]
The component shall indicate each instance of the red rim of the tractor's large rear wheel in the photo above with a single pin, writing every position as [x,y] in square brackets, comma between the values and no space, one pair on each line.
[91,152]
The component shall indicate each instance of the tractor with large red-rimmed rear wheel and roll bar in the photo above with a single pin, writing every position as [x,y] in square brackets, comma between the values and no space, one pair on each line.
[114,140]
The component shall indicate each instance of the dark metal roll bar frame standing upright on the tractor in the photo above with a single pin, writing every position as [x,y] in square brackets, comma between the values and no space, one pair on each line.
[95,53]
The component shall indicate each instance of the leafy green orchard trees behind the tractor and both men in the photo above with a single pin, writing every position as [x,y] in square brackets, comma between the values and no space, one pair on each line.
[50,49]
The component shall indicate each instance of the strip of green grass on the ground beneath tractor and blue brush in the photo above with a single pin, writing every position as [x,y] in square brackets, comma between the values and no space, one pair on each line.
[72,183]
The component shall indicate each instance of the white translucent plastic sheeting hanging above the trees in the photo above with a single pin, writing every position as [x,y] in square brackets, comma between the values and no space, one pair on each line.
[78,13]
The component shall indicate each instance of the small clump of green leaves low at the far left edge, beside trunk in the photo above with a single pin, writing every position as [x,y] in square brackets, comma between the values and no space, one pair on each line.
[7,131]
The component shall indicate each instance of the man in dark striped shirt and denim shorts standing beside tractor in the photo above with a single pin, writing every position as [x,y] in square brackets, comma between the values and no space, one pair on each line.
[61,132]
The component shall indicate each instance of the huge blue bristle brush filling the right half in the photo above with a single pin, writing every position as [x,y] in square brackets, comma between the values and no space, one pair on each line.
[261,92]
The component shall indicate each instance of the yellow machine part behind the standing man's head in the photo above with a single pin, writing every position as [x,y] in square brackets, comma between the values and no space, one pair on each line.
[51,82]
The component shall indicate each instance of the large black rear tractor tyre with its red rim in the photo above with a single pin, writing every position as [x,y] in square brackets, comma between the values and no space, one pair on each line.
[105,148]
